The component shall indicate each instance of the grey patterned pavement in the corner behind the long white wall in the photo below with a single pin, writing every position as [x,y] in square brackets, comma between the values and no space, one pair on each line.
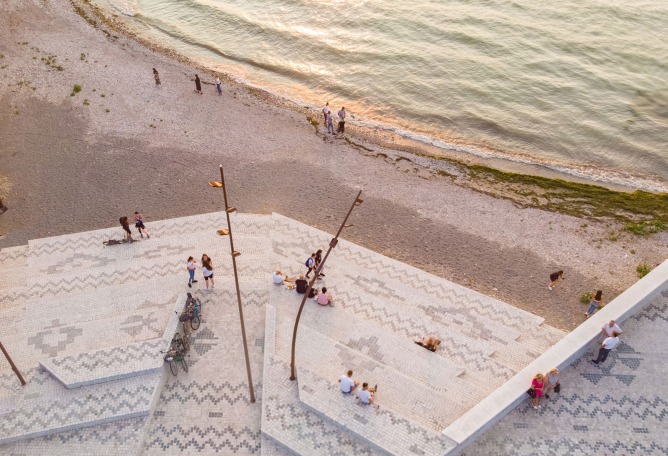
[618,407]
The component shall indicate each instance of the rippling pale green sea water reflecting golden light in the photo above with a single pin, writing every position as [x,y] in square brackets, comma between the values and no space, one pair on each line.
[579,86]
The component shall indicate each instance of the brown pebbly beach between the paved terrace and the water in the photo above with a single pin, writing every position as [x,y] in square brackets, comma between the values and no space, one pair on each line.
[73,161]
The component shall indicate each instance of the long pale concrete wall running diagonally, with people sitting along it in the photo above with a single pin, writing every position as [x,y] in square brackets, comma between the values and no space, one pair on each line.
[505,398]
